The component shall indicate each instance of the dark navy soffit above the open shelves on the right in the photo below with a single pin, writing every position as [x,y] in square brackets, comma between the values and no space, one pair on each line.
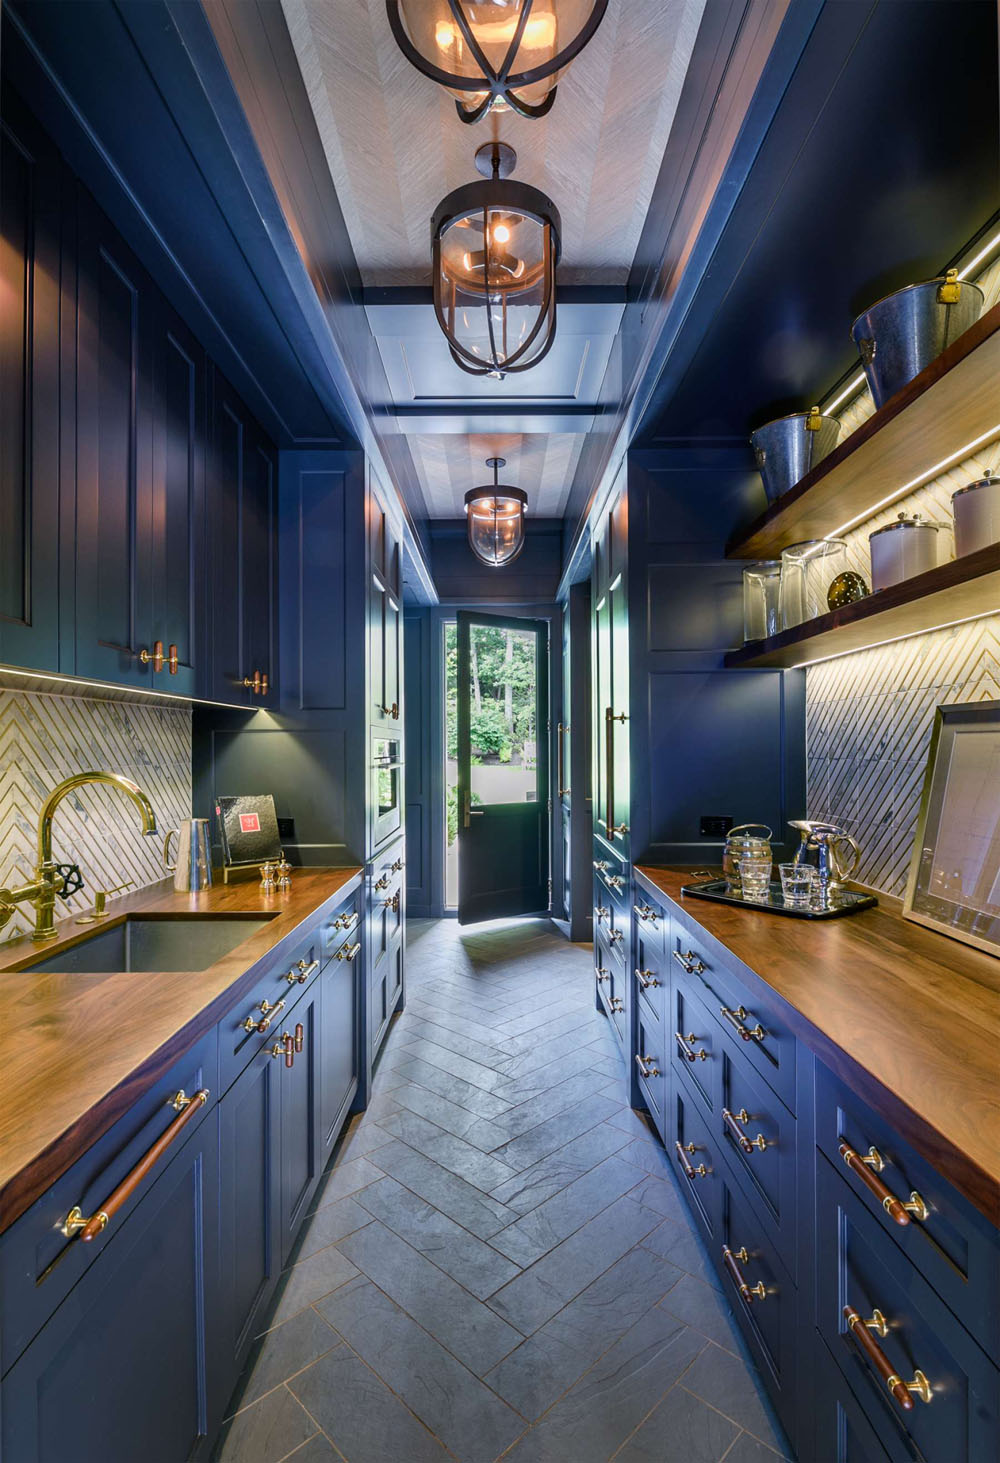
[884,160]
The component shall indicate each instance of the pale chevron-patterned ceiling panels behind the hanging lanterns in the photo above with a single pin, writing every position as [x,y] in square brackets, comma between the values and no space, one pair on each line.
[395,147]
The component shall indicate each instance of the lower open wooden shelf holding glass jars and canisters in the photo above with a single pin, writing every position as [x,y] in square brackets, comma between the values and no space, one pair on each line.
[952,592]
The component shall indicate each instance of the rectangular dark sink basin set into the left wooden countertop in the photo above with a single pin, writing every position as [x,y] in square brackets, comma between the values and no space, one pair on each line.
[148,943]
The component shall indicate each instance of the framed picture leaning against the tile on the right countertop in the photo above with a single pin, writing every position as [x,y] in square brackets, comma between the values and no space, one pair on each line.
[955,871]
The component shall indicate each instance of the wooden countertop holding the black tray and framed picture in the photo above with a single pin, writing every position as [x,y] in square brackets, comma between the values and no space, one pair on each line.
[907,1018]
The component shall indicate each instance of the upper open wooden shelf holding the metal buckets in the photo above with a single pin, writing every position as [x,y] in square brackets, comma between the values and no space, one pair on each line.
[954,402]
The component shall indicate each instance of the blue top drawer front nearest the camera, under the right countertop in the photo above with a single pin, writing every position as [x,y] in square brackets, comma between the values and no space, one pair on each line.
[952,1246]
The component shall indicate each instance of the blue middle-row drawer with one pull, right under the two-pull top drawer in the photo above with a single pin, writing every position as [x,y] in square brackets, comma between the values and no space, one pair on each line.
[760,1140]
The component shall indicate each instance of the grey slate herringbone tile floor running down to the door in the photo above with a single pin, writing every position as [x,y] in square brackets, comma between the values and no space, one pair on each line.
[499,1263]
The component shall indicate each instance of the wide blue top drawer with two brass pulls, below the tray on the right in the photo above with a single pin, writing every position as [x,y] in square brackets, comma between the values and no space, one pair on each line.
[768,1042]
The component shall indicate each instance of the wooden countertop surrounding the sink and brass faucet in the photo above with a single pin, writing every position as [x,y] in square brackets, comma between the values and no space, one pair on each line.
[78,1050]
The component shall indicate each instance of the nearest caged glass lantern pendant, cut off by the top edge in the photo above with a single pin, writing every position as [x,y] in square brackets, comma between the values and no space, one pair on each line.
[495,53]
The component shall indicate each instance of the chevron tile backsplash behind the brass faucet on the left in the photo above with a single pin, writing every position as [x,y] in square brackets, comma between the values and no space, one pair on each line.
[46,738]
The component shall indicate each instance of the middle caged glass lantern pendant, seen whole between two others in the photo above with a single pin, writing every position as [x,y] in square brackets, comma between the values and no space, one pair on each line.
[495,255]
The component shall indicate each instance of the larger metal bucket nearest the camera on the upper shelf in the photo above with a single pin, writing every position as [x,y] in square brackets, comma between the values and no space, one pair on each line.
[903,334]
